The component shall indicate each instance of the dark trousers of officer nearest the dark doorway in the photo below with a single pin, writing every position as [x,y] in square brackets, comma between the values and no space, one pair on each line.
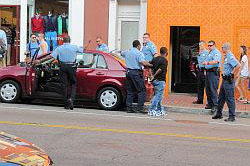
[201,85]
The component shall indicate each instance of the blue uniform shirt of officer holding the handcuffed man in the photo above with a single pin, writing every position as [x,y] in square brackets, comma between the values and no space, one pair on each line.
[133,58]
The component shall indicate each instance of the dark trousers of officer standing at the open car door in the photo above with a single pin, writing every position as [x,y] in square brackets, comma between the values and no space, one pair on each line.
[68,80]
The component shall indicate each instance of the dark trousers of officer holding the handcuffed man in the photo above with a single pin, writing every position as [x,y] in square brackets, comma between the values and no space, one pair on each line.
[135,84]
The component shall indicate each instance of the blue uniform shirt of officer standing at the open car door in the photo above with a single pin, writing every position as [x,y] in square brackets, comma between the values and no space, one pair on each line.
[67,53]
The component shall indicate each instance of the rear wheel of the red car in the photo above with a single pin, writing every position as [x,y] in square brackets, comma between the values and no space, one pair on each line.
[109,98]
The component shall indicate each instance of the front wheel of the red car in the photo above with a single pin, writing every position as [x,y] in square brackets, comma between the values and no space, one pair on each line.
[10,91]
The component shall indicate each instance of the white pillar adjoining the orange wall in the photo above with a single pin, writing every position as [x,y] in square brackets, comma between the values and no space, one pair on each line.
[143,19]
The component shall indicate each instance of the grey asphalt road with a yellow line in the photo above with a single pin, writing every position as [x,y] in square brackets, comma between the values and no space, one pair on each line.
[91,137]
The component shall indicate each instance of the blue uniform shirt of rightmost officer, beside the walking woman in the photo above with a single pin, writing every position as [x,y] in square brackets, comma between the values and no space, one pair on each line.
[230,62]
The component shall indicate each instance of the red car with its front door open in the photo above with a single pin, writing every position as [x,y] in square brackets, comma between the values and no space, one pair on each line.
[100,77]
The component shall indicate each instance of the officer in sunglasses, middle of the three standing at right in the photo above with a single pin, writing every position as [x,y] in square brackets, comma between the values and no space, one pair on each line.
[212,66]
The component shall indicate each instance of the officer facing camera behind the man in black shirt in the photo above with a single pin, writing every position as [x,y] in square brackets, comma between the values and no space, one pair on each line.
[149,49]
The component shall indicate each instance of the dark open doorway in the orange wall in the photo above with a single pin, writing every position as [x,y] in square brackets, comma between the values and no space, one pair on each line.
[185,42]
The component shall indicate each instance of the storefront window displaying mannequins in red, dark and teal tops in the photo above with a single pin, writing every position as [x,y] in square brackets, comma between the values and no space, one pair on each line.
[51,19]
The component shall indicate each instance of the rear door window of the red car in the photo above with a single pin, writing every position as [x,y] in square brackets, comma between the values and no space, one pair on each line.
[86,60]
